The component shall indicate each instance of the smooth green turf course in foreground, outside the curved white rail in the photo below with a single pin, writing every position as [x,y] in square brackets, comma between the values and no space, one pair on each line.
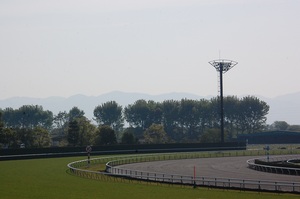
[49,178]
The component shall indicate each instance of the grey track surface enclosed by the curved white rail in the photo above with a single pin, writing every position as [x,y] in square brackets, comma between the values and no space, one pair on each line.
[225,167]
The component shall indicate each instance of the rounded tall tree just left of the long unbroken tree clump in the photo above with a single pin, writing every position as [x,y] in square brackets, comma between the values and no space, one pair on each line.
[109,113]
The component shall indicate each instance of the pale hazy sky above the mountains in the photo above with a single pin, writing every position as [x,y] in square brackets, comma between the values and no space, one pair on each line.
[67,47]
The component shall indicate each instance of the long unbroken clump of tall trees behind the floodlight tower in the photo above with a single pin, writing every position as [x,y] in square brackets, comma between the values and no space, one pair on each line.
[186,120]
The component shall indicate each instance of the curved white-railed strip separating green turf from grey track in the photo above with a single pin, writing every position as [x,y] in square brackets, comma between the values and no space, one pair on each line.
[83,169]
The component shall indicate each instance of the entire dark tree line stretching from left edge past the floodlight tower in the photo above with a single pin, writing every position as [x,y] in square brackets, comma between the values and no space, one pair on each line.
[143,121]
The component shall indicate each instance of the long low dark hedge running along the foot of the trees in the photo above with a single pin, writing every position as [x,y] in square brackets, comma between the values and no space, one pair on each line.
[118,149]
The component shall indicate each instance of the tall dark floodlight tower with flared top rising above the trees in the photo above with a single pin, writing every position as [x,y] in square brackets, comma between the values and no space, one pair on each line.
[222,66]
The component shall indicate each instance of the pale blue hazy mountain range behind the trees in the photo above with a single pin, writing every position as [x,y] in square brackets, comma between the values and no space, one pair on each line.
[282,108]
